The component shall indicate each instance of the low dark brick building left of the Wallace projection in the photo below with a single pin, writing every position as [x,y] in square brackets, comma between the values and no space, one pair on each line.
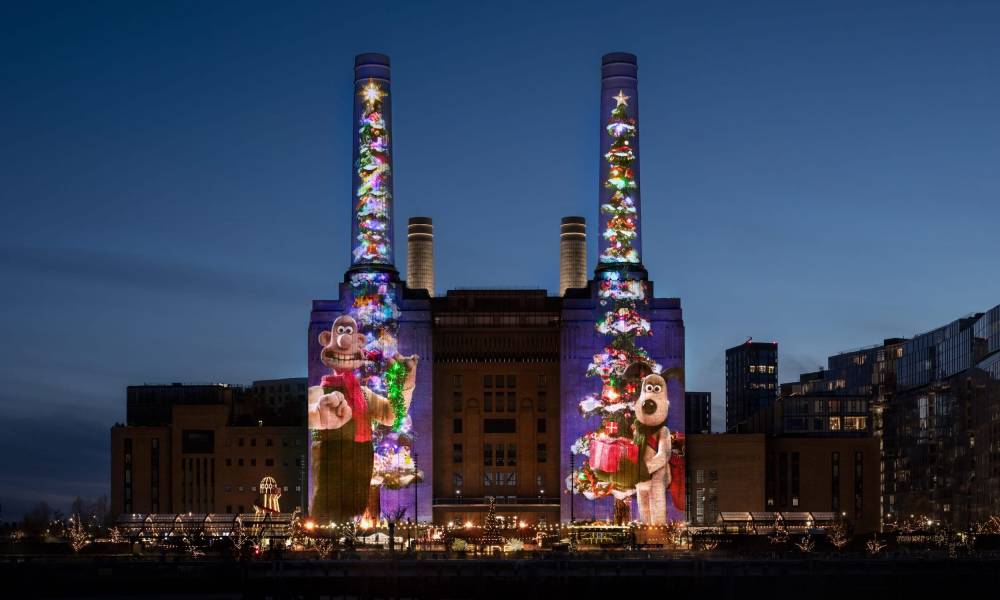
[206,448]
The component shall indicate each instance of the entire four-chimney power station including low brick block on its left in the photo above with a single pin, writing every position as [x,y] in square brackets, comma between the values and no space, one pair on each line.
[443,407]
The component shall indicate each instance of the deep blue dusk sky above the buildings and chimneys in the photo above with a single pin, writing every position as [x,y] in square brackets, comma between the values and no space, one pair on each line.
[175,181]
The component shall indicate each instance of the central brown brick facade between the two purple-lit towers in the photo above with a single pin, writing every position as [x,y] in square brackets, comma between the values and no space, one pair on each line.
[496,405]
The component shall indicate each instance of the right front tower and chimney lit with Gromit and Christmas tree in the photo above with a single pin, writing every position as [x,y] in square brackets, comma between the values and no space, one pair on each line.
[622,355]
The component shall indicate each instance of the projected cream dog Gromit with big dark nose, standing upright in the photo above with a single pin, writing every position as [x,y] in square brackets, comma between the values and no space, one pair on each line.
[651,410]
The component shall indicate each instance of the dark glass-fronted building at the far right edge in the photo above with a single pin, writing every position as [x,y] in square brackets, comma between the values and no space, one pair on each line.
[942,424]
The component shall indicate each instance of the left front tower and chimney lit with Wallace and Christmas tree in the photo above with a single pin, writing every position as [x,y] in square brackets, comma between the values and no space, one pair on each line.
[361,386]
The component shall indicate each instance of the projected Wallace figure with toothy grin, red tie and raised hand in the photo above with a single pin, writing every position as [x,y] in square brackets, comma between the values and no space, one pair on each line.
[341,411]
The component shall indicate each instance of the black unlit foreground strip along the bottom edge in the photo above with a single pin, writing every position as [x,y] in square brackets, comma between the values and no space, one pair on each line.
[548,578]
